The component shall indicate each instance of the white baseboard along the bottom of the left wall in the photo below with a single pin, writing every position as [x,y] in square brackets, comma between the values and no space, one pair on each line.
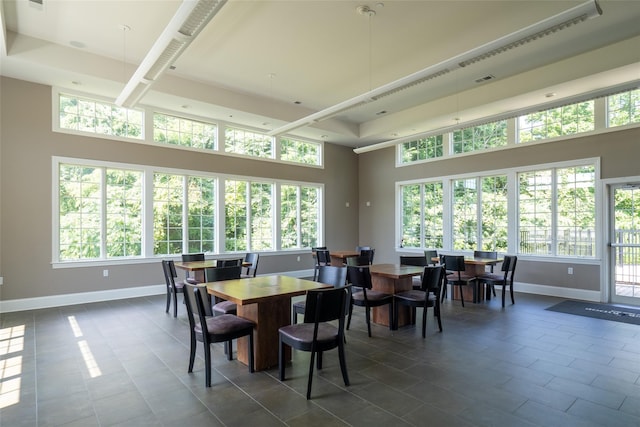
[98,296]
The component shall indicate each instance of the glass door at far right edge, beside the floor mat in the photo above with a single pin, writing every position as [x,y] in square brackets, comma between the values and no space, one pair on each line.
[625,244]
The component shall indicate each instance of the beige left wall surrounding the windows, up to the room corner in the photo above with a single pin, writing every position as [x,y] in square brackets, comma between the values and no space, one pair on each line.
[27,146]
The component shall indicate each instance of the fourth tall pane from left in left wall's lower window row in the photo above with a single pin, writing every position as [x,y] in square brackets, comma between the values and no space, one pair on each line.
[201,219]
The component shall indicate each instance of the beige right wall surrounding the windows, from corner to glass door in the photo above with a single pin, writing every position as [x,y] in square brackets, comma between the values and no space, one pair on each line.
[618,150]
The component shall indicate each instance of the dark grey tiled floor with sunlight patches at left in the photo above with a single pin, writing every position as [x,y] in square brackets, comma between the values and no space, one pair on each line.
[125,363]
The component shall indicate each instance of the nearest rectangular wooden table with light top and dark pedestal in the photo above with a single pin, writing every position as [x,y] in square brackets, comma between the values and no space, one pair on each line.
[265,300]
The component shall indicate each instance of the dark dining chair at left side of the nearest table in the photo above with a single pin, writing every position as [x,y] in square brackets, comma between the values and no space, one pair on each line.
[209,329]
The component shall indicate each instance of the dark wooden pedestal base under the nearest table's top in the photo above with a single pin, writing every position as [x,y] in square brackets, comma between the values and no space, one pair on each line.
[269,316]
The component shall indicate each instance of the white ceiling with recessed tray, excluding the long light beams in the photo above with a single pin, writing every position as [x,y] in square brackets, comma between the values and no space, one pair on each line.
[266,63]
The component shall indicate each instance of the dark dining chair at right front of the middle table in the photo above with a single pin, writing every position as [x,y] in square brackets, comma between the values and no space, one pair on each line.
[427,296]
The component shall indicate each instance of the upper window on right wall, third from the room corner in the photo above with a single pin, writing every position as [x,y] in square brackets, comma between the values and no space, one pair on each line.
[566,120]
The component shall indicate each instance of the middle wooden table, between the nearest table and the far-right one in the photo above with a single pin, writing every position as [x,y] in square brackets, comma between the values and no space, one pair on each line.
[391,279]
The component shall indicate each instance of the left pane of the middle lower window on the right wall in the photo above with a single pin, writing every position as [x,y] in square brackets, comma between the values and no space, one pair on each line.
[465,214]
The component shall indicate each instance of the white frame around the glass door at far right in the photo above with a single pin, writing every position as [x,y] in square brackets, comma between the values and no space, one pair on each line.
[606,271]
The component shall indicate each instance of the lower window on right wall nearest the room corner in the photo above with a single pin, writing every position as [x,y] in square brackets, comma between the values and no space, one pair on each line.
[422,215]
